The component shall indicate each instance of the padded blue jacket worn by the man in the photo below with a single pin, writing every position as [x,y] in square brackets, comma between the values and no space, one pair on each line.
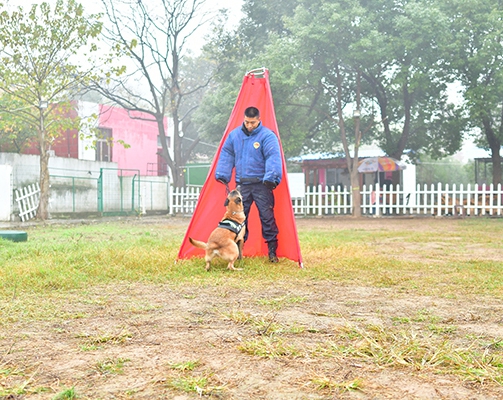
[255,155]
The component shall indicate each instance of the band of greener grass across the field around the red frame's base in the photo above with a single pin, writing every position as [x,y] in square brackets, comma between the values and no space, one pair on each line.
[61,258]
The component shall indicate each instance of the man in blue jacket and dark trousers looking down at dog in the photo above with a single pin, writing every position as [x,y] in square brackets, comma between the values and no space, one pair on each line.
[253,150]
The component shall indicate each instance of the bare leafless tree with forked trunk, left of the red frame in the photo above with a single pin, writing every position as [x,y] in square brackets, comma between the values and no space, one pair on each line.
[152,38]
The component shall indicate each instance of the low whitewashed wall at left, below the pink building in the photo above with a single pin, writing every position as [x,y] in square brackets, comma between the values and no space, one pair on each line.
[74,186]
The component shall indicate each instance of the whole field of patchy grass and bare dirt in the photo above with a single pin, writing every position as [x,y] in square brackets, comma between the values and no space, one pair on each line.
[384,308]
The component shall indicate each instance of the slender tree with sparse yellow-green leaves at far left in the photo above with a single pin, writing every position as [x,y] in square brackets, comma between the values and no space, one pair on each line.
[42,67]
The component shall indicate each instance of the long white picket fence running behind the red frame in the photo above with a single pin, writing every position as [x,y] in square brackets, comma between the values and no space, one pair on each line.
[434,200]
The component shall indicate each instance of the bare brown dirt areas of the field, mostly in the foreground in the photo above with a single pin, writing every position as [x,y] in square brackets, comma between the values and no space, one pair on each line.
[136,341]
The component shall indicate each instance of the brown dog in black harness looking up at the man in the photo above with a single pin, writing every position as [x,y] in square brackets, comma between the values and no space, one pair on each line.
[226,241]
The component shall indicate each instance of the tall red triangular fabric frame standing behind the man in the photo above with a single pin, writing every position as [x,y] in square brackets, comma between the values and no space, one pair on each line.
[255,91]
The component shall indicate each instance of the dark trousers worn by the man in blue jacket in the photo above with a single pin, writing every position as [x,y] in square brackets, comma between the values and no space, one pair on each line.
[264,200]
